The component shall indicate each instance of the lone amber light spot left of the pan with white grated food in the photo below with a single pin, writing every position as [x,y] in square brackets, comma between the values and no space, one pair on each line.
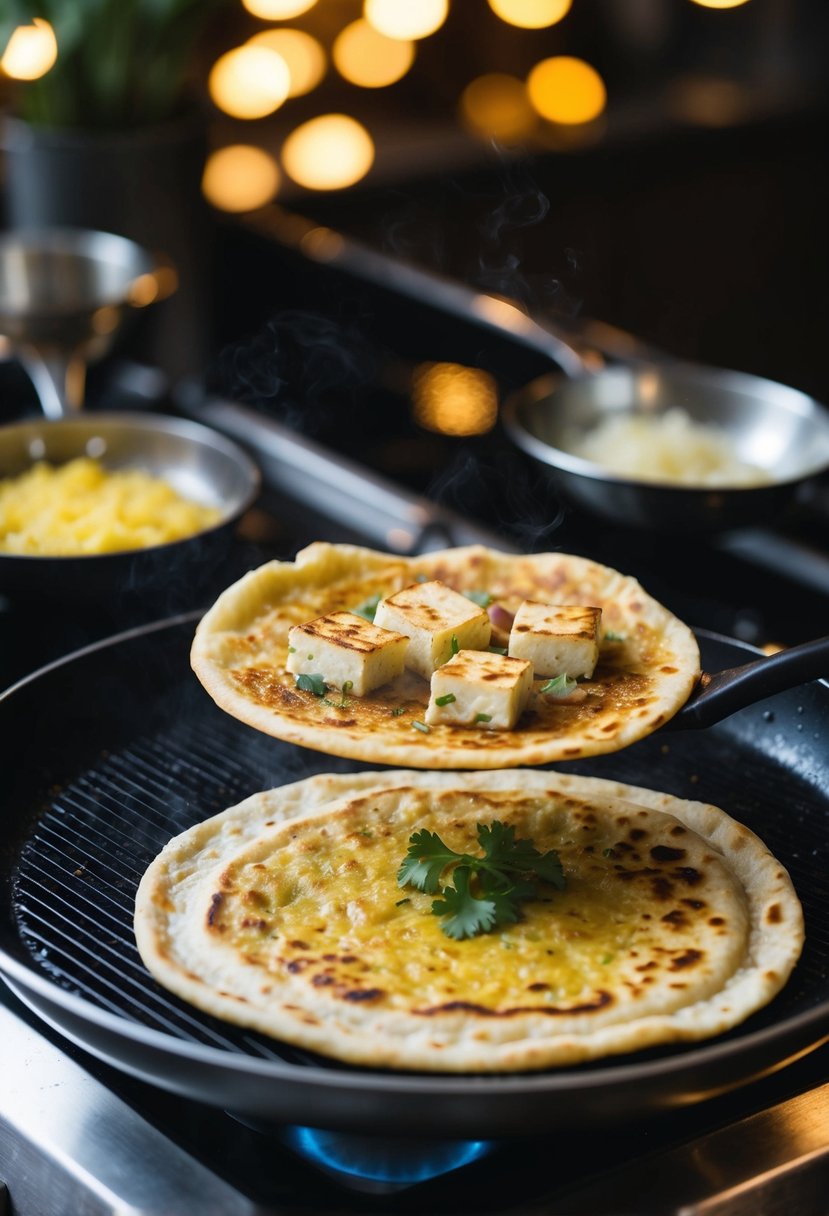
[454,399]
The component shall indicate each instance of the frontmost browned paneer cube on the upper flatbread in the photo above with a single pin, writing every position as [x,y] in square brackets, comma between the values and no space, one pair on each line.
[478,689]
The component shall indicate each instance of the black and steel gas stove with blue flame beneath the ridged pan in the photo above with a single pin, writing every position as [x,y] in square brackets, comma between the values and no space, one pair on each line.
[345,459]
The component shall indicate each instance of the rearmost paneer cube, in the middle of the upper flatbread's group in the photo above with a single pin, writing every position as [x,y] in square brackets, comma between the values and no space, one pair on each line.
[438,622]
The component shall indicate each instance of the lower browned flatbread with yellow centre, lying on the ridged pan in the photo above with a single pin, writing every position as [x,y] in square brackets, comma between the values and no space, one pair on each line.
[285,915]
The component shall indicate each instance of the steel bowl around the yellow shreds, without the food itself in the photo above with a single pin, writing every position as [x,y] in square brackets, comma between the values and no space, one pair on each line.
[199,463]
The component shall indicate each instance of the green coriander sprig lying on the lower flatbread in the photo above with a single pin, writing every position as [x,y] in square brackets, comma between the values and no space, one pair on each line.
[486,892]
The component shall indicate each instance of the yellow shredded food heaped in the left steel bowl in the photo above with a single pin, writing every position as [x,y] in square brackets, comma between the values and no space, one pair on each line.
[81,508]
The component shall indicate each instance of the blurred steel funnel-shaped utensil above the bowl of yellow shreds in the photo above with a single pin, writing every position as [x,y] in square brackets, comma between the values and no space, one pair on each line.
[64,296]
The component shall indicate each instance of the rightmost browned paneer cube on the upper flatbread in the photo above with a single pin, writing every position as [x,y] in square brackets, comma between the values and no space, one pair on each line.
[557,640]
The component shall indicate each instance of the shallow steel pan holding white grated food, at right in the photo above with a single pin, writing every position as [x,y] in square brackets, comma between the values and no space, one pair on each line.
[673,447]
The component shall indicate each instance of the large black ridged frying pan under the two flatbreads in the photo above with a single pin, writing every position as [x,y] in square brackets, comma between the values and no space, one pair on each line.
[101,782]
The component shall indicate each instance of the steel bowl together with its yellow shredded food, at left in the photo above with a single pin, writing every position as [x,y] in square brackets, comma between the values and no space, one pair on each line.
[117,504]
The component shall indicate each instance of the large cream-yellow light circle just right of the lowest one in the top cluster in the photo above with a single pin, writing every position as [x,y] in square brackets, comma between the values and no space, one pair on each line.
[329,153]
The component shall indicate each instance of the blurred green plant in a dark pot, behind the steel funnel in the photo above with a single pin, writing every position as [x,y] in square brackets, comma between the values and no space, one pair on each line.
[111,137]
